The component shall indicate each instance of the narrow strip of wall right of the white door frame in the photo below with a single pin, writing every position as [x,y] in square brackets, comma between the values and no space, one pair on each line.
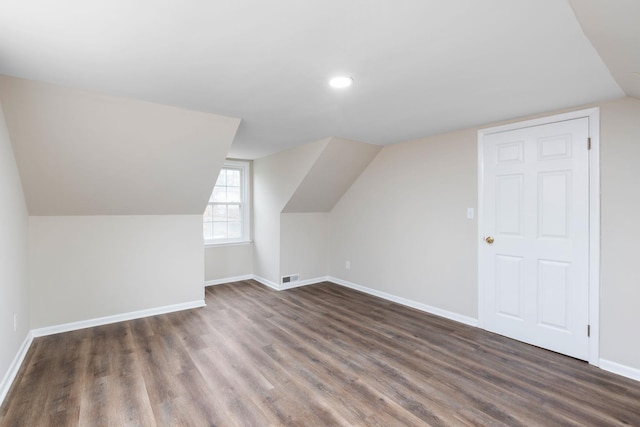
[620,232]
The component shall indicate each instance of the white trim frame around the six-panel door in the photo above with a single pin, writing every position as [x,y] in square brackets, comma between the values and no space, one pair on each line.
[593,114]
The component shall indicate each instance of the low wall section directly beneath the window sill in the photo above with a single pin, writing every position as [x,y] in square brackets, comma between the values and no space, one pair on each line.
[228,261]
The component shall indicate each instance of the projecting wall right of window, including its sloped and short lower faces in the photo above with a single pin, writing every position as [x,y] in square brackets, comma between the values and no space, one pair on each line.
[293,191]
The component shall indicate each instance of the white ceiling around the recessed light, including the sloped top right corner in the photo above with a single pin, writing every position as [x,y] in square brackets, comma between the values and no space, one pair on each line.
[420,67]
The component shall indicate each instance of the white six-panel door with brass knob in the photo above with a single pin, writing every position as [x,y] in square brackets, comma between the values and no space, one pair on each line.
[534,226]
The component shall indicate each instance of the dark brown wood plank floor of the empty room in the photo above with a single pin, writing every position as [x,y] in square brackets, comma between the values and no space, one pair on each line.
[320,355]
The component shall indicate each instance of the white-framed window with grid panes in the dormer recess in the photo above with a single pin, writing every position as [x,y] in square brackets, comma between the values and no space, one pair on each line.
[226,218]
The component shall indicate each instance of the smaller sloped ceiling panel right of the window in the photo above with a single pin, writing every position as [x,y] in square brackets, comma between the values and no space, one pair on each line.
[334,171]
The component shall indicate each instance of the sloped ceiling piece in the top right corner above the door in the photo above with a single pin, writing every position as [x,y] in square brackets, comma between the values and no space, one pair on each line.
[613,26]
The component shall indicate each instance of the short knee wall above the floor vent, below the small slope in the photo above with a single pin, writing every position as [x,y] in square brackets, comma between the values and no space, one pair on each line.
[304,245]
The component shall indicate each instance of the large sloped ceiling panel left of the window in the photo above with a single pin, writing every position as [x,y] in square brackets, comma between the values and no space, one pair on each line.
[84,153]
